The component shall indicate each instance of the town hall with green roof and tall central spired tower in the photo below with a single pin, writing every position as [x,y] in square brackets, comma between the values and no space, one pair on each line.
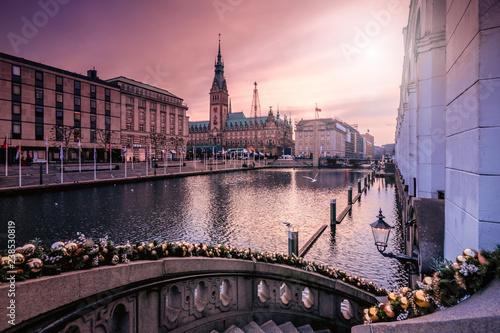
[269,134]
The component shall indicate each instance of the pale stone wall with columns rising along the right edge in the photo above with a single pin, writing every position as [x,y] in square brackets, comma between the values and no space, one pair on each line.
[448,119]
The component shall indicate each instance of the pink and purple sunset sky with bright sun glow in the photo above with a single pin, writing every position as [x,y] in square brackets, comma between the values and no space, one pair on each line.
[343,56]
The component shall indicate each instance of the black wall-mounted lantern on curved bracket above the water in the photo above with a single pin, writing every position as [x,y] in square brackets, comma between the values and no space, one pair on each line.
[381,231]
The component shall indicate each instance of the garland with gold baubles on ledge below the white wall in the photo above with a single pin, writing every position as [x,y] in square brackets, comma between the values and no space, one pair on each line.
[451,284]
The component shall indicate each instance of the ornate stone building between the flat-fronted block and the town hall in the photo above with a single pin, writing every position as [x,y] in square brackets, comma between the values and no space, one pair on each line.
[151,117]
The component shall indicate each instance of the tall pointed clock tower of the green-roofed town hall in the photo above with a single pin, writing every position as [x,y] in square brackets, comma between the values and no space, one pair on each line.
[219,99]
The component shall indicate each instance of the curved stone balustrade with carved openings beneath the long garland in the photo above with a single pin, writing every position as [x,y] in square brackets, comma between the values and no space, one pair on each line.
[184,295]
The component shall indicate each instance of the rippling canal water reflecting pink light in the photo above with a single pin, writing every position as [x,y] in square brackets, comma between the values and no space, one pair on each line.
[244,209]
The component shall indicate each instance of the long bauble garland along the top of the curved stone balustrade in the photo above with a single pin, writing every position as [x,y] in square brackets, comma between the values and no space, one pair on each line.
[33,260]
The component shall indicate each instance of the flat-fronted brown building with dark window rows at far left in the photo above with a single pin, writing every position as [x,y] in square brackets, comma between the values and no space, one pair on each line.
[42,106]
